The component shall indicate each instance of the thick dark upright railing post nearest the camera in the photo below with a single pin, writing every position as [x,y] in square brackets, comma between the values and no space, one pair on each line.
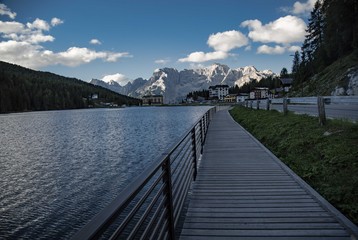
[169,196]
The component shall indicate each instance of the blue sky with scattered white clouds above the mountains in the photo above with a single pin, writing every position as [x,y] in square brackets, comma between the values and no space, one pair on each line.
[127,39]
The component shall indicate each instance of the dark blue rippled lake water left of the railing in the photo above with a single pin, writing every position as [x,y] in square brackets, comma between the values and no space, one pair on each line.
[59,168]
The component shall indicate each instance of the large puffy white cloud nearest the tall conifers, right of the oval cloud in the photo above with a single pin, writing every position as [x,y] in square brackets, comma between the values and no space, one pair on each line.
[285,30]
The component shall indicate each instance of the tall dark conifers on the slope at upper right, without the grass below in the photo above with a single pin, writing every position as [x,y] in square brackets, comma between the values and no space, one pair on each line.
[332,33]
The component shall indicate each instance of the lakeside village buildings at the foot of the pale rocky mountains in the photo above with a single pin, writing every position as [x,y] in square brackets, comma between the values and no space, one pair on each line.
[221,93]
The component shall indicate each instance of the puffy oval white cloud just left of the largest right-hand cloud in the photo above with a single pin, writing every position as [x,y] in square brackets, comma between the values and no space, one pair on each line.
[226,41]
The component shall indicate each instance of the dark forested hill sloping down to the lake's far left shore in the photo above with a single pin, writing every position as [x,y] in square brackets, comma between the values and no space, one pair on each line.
[23,89]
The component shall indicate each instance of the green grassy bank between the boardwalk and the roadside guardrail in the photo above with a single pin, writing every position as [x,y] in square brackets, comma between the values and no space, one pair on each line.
[326,157]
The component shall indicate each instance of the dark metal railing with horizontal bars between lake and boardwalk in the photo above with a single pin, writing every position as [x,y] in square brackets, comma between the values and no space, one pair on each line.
[150,206]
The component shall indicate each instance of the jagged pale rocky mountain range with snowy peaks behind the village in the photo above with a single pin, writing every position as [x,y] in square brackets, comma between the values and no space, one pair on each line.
[174,85]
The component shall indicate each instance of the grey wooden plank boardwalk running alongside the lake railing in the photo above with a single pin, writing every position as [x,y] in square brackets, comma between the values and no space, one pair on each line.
[243,191]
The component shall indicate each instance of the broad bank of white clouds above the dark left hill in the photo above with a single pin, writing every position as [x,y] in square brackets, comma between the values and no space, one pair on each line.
[22,45]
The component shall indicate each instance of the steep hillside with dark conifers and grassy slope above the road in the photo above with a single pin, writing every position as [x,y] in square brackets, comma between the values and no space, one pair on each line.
[330,50]
